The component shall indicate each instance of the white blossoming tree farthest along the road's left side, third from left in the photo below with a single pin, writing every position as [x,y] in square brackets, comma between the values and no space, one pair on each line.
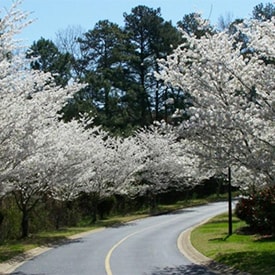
[164,165]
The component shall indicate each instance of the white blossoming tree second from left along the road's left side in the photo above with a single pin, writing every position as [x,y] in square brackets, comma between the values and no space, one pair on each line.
[110,165]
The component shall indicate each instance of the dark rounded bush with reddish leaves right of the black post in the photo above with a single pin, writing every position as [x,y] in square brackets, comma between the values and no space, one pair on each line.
[258,210]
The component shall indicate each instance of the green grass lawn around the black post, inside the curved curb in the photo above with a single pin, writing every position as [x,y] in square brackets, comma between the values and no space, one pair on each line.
[250,253]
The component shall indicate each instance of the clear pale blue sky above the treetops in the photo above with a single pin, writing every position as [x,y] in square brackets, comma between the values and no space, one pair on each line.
[52,16]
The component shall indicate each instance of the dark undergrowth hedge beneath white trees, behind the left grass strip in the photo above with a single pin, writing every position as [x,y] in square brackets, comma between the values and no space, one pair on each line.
[89,208]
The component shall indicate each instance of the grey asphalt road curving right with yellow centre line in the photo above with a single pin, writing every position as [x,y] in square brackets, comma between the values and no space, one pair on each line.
[143,247]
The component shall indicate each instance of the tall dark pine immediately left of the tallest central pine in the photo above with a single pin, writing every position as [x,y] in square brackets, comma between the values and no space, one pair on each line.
[104,54]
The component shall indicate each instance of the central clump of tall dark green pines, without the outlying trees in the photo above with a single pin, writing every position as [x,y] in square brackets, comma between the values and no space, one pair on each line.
[118,64]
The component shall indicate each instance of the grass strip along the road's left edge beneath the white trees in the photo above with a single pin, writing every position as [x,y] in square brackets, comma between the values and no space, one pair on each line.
[12,248]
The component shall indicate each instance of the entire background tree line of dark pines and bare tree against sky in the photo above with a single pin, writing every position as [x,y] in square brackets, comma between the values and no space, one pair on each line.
[118,64]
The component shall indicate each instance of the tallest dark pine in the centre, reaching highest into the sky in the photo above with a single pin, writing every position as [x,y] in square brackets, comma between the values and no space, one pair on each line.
[152,38]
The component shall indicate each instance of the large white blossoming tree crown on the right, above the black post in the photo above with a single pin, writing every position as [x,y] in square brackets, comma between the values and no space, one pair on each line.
[232,119]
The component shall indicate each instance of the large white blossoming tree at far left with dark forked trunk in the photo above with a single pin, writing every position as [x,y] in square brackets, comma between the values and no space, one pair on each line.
[35,148]
